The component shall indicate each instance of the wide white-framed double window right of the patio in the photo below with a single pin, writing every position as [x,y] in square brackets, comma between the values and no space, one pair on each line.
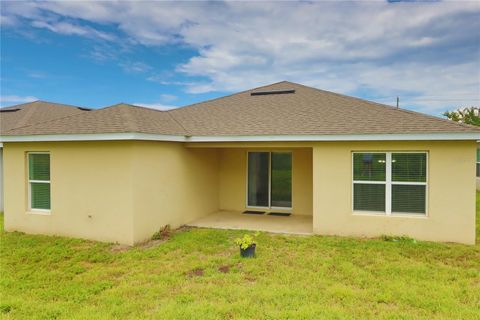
[390,182]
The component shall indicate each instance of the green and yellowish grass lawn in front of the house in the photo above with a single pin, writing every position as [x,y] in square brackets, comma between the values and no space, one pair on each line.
[197,274]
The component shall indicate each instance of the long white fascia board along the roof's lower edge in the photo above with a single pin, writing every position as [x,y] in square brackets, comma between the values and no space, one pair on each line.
[266,138]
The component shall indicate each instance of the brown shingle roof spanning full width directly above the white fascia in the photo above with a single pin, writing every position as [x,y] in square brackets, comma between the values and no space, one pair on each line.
[308,111]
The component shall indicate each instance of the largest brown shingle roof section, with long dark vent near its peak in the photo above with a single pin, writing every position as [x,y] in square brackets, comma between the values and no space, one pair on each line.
[306,111]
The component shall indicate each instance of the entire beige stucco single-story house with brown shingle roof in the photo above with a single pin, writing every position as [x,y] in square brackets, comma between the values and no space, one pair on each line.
[338,165]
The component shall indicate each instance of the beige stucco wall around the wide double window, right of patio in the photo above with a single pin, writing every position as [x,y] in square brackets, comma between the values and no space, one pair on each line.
[451,192]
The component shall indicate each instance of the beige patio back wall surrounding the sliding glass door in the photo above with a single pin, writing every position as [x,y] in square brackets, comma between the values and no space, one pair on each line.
[233,178]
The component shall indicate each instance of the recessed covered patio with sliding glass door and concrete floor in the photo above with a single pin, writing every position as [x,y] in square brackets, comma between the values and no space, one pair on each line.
[260,177]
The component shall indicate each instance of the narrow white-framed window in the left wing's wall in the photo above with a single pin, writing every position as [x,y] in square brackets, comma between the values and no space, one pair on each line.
[38,181]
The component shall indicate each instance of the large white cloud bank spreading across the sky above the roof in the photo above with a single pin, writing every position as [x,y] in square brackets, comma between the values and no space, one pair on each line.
[413,50]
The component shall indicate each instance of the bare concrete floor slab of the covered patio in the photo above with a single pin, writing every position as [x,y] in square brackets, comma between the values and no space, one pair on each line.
[293,224]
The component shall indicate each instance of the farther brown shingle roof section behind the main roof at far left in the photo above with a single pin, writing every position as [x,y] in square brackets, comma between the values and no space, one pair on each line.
[34,112]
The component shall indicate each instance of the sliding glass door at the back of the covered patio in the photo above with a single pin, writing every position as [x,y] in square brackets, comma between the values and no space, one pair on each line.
[269,179]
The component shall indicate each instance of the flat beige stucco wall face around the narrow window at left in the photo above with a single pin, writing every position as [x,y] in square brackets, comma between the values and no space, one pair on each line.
[91,190]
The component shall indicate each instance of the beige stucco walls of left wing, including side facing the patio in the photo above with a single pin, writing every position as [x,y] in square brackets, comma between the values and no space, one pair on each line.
[113,191]
